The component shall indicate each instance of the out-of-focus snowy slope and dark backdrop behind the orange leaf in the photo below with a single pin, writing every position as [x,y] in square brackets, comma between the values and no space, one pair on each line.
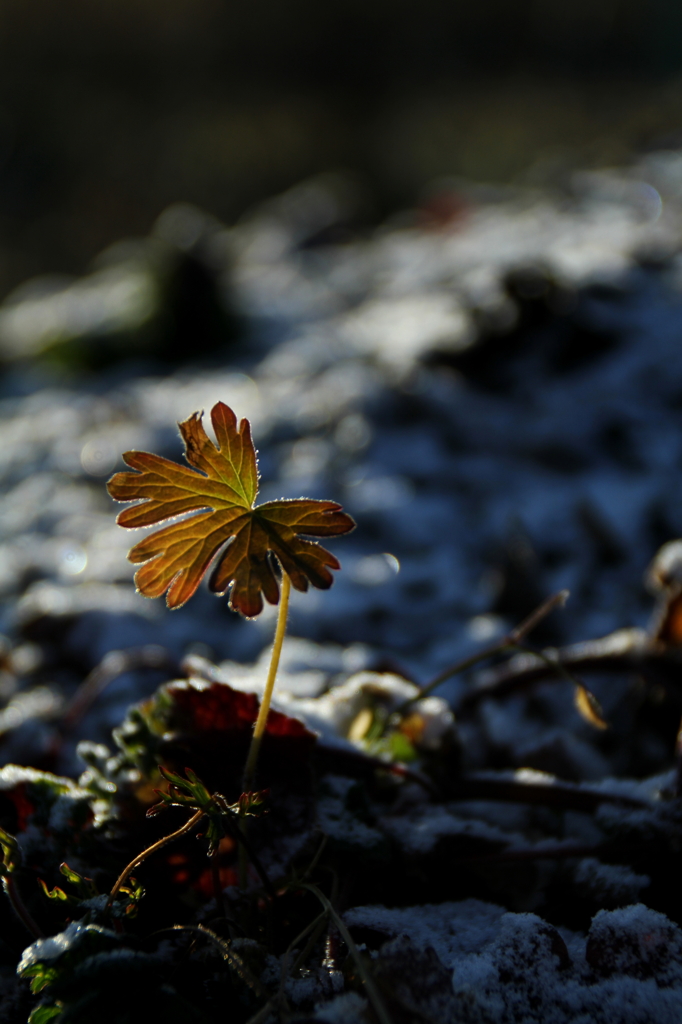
[433,251]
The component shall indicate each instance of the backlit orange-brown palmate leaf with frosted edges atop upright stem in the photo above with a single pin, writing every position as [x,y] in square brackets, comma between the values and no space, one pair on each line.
[222,491]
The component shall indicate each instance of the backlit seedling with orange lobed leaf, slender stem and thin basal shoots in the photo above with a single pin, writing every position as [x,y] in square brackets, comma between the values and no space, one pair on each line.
[258,551]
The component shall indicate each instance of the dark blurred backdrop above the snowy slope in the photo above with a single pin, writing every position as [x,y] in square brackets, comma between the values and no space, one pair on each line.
[111,111]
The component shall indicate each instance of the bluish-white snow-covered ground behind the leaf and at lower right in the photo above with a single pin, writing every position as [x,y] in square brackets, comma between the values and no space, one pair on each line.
[497,400]
